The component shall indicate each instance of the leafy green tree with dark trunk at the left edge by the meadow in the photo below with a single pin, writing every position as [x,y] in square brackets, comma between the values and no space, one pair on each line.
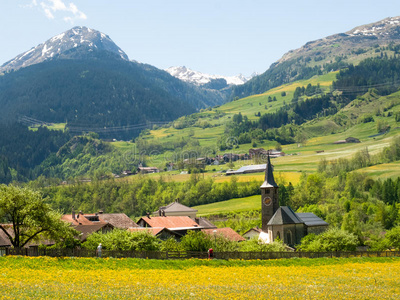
[28,218]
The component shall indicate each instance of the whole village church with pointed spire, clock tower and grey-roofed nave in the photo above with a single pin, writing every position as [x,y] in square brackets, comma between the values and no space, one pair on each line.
[281,221]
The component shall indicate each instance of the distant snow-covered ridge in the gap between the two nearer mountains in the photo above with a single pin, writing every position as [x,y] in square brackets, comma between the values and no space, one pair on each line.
[199,78]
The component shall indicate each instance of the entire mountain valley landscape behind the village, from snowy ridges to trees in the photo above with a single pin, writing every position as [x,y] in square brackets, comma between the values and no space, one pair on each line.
[99,122]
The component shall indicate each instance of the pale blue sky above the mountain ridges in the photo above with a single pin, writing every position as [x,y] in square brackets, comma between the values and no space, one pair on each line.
[225,37]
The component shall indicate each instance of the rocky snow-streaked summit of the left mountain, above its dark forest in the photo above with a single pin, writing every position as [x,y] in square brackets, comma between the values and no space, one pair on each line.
[61,44]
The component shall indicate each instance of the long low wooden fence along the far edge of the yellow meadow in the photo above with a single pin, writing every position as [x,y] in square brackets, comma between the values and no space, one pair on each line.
[190,254]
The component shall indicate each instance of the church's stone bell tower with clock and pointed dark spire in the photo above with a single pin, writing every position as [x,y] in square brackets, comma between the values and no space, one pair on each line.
[269,196]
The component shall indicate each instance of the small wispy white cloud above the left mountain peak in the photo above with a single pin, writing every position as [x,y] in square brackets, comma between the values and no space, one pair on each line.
[52,9]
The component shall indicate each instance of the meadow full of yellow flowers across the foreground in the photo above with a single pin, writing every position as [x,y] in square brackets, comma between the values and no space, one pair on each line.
[91,278]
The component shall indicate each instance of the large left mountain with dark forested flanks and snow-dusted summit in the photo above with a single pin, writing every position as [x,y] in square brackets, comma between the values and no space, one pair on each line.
[81,77]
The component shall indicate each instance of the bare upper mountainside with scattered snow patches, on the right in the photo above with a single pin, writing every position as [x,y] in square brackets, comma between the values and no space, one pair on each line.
[324,55]
